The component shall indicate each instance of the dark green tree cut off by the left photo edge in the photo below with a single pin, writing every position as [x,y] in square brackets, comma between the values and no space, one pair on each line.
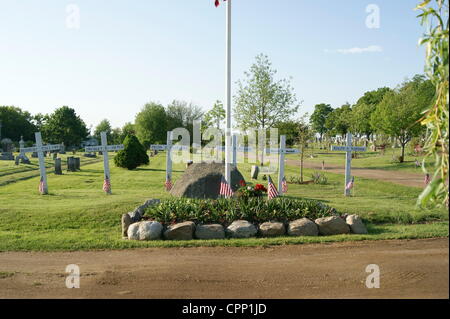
[16,123]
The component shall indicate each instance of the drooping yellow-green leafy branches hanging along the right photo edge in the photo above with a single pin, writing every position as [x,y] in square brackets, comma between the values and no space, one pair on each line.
[436,118]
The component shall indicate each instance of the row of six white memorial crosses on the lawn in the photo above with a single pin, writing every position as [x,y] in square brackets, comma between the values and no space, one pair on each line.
[105,148]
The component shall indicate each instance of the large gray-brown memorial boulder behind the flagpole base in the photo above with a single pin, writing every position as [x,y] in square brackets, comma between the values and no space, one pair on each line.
[202,180]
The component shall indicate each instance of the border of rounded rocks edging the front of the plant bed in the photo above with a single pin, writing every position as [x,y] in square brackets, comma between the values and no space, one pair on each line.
[134,228]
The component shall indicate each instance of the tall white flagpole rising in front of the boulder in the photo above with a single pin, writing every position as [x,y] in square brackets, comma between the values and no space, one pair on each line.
[228,156]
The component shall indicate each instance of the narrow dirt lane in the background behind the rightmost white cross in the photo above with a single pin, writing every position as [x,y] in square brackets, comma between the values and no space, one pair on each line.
[398,177]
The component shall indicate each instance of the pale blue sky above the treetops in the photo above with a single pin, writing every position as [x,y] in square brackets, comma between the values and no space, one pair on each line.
[126,53]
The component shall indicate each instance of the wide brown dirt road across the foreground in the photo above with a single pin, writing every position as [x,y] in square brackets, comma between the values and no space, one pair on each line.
[409,269]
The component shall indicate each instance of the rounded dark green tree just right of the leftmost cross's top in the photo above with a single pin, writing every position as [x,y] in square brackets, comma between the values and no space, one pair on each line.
[64,125]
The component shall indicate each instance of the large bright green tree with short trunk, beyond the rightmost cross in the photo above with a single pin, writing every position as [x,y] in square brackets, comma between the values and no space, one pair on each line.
[400,110]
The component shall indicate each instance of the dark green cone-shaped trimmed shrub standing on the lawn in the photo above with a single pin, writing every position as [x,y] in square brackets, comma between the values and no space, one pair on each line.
[133,155]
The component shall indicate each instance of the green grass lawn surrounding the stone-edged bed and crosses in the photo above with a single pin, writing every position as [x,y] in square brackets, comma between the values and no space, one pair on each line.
[78,215]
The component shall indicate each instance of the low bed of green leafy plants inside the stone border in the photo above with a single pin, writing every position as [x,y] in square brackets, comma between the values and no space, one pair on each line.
[225,211]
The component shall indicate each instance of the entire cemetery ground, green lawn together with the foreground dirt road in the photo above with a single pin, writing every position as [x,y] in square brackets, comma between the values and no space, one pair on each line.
[77,223]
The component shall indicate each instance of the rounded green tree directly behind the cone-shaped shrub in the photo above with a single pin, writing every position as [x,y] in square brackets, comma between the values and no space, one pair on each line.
[151,124]
